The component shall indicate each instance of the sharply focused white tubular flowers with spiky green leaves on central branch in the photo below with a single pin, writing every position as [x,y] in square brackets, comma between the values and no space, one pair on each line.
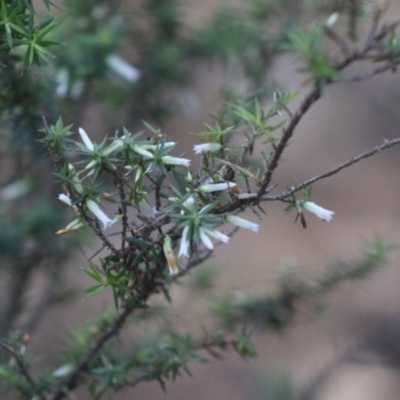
[195,213]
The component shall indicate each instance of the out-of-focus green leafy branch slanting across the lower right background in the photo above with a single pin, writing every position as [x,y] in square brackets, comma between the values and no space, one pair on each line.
[276,311]
